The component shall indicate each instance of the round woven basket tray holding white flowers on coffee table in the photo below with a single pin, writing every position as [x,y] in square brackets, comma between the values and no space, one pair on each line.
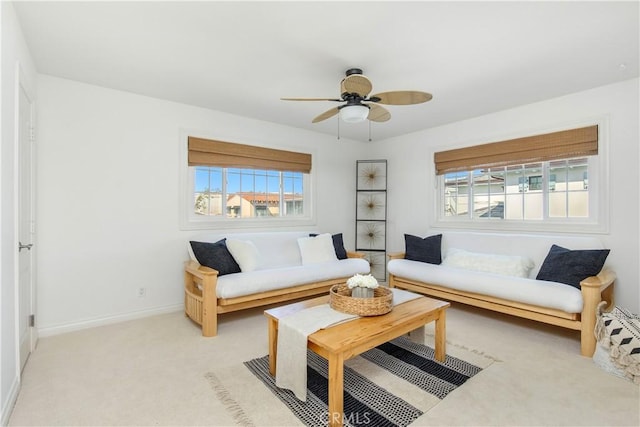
[340,299]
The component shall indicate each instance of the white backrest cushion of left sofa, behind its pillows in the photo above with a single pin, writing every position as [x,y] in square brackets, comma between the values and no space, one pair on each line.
[276,248]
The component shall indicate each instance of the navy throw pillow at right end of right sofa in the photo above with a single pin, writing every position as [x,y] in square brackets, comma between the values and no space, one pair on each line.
[570,267]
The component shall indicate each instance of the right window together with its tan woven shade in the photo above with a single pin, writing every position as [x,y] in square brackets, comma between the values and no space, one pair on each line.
[491,184]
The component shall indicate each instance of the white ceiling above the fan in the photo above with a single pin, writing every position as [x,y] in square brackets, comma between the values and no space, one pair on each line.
[241,57]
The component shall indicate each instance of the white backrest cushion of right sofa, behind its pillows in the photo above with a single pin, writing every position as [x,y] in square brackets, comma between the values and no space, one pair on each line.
[533,246]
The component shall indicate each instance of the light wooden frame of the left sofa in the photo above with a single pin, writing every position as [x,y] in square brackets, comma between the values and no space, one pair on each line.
[203,307]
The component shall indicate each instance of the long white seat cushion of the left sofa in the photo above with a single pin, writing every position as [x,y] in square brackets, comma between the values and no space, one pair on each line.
[240,284]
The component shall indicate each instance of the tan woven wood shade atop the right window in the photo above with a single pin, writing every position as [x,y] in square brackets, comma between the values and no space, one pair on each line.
[537,148]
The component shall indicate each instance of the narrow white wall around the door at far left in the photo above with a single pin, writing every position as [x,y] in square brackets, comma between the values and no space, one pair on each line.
[14,51]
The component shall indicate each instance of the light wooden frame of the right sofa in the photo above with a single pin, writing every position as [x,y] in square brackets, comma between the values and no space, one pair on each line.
[594,290]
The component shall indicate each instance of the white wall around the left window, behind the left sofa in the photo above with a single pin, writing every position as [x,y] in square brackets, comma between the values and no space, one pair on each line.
[108,186]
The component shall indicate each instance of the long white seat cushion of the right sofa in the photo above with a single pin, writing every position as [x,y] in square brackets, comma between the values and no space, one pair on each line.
[530,291]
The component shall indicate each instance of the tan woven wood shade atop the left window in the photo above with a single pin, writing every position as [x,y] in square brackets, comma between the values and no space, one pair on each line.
[207,152]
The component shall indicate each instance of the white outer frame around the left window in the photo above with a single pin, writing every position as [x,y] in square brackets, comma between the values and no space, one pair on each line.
[190,221]
